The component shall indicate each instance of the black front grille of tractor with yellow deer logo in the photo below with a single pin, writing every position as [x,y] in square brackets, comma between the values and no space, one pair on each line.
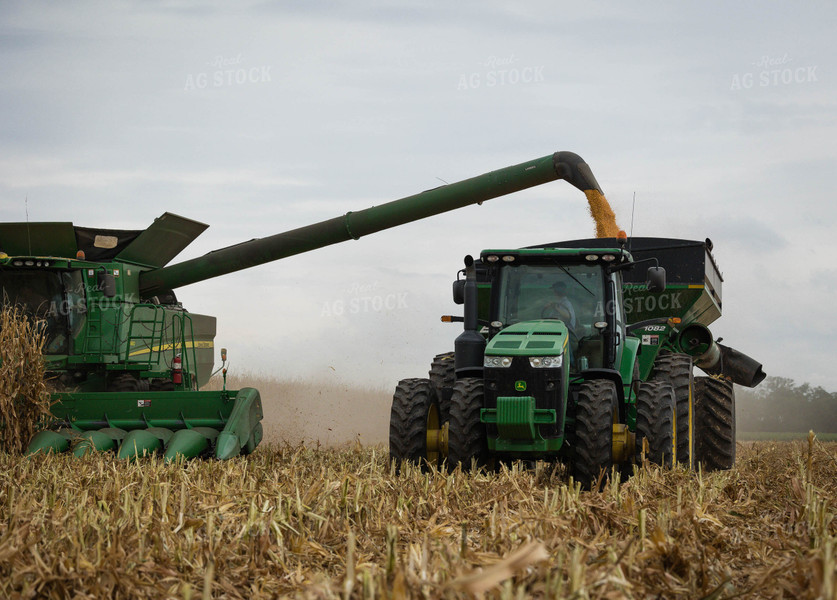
[545,385]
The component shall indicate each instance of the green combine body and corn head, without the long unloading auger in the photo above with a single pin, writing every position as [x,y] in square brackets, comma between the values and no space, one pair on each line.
[126,366]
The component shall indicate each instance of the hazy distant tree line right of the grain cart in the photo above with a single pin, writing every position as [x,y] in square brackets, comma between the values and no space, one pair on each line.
[780,404]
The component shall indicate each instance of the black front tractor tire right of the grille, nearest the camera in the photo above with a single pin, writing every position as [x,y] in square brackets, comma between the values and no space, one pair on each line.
[591,440]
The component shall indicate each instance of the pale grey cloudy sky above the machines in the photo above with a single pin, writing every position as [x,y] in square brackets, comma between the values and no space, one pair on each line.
[718,116]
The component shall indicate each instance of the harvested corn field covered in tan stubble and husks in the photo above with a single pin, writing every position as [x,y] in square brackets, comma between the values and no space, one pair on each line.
[340,523]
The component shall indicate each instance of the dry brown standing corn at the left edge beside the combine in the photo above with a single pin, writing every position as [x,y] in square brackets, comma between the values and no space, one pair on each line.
[24,400]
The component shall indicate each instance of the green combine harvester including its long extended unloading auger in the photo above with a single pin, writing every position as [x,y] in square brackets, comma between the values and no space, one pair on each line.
[128,360]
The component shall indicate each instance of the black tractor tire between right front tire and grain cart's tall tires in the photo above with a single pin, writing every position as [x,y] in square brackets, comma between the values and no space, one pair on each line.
[655,421]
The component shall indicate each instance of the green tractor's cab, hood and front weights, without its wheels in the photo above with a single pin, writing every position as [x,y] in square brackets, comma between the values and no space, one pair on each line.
[555,320]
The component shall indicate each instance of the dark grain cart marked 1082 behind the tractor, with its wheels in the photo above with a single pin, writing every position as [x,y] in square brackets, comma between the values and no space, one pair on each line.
[671,346]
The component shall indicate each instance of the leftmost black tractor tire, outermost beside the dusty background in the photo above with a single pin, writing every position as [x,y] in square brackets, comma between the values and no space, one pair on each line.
[414,408]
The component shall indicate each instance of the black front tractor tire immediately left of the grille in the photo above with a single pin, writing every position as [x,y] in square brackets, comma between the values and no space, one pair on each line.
[467,441]
